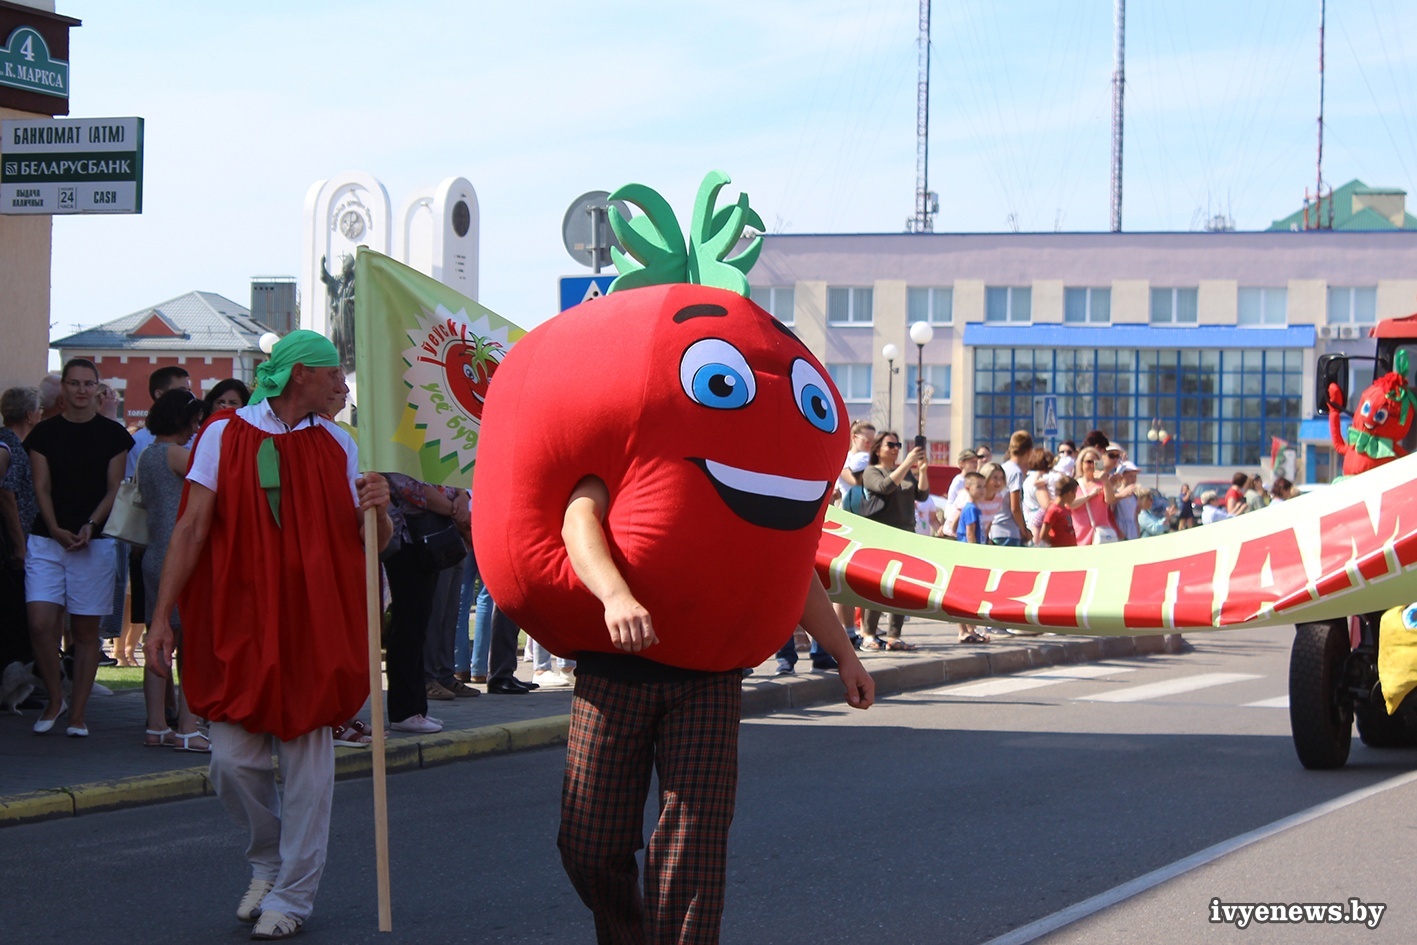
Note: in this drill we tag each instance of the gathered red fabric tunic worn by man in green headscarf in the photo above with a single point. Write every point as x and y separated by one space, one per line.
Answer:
274 614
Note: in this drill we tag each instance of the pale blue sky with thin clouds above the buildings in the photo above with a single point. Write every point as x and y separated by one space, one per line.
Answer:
808 104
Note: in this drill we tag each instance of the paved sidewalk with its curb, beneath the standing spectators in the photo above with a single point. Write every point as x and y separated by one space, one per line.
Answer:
50 776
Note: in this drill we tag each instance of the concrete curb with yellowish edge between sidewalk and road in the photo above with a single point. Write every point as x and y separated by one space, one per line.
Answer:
429 752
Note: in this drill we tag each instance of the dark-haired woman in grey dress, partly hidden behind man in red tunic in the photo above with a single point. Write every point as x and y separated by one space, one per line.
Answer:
162 471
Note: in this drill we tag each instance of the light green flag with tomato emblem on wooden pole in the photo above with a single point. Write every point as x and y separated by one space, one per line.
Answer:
424 356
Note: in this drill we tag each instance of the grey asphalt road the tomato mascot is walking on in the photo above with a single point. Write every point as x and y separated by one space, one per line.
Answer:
961 814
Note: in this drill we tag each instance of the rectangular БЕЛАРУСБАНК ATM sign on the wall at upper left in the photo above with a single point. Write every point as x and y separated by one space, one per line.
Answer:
72 166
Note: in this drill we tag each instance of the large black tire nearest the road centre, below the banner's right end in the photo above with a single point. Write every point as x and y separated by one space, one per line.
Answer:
1323 729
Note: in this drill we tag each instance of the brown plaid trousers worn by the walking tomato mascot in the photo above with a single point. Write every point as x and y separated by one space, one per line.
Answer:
688 733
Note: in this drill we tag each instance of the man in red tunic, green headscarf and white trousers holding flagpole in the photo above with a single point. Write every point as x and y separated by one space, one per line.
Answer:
267 566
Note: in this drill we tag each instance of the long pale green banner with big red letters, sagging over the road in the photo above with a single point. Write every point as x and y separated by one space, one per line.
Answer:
1347 549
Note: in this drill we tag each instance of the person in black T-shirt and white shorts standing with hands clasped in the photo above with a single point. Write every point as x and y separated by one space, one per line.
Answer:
79 461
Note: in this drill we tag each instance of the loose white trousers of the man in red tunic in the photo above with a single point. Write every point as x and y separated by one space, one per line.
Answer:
290 830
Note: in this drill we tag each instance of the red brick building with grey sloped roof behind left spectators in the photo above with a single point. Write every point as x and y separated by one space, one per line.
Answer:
209 335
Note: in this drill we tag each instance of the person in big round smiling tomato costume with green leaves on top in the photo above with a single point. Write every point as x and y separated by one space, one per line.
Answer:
713 437
